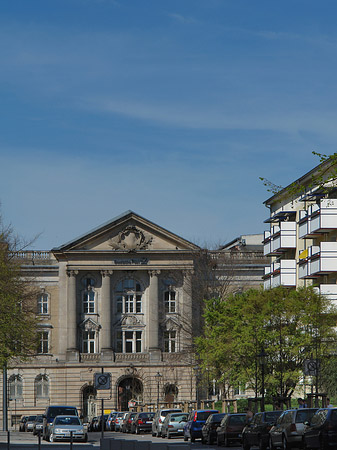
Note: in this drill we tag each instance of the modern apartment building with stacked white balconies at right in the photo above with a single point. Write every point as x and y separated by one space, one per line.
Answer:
302 234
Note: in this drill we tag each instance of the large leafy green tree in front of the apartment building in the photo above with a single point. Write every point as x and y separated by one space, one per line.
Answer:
288 325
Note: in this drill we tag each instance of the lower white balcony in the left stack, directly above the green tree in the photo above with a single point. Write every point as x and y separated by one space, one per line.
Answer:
280 273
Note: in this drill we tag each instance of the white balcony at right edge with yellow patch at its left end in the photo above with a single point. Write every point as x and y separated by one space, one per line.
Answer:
319 260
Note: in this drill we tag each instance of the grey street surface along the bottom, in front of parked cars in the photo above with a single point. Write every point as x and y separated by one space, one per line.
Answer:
26 441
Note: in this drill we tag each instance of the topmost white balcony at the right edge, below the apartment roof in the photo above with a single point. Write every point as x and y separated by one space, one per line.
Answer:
319 218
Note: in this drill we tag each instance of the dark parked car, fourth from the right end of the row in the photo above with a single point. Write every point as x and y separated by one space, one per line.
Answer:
230 429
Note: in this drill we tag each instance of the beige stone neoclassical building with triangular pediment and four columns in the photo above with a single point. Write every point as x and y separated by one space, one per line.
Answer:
117 300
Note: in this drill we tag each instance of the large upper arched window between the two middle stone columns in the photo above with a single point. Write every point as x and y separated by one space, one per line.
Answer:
128 296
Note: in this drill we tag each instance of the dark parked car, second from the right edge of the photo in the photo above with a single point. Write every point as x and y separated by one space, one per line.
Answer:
289 428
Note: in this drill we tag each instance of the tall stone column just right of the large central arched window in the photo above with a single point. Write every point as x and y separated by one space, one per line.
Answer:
153 316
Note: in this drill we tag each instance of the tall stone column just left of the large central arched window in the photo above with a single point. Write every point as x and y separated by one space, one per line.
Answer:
105 315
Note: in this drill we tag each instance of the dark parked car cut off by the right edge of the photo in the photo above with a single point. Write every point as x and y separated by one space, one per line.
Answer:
321 431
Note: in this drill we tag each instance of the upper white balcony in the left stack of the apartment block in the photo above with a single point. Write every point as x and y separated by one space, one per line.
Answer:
280 238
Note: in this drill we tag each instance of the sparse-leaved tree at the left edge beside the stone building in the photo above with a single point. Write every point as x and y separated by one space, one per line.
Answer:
18 323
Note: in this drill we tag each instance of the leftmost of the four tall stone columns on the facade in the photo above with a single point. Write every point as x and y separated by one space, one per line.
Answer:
72 350
